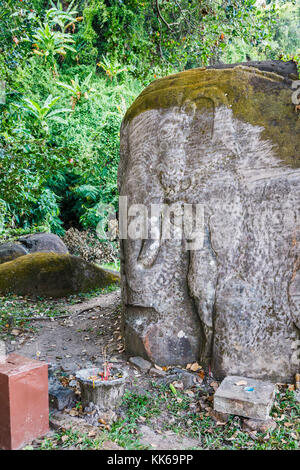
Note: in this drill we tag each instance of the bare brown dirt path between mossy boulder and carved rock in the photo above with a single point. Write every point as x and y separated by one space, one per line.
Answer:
79 340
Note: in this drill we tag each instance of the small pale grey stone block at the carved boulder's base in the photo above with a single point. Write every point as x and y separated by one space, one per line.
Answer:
232 397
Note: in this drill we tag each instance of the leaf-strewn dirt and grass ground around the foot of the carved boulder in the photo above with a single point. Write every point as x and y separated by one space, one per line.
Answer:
162 410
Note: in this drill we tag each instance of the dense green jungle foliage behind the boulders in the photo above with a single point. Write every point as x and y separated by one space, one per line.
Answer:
57 166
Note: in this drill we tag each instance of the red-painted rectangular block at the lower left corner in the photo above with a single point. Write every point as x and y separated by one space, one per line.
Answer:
24 406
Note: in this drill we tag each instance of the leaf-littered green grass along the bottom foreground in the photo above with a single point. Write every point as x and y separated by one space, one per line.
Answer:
198 425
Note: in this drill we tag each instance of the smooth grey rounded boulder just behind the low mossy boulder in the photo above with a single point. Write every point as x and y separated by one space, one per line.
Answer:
43 242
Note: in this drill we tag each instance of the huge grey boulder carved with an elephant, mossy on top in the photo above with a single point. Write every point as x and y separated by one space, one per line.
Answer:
228 140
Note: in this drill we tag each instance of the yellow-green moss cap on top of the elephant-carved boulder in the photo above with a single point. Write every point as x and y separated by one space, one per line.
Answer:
258 97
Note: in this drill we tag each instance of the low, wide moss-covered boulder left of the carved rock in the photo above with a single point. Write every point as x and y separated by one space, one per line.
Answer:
52 275
